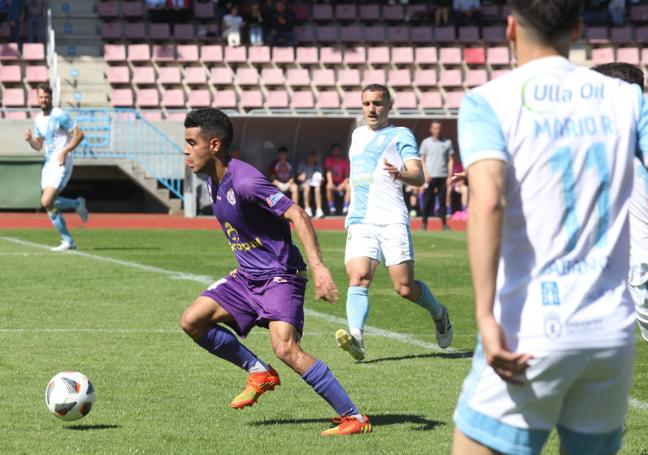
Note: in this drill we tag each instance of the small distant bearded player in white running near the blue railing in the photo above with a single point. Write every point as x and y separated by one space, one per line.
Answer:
54 129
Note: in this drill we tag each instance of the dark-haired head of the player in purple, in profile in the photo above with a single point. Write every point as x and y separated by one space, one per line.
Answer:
208 136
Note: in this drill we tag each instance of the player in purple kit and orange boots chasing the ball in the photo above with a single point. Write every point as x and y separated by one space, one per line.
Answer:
268 287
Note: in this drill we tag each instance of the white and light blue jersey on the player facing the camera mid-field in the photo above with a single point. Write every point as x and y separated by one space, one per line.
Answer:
376 198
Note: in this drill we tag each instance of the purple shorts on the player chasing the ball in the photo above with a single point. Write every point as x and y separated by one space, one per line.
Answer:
258 300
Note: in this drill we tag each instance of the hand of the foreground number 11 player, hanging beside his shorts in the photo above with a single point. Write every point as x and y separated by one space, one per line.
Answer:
508 365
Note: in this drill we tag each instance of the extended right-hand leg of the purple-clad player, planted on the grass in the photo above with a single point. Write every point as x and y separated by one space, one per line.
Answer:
285 343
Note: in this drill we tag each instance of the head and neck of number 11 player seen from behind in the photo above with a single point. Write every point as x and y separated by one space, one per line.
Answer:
545 24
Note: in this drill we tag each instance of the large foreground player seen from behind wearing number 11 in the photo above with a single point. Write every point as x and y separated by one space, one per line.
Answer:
549 152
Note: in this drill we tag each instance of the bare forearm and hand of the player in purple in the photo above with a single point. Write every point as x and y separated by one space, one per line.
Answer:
324 286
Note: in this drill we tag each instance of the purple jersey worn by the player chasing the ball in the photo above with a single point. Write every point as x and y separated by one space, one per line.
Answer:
250 211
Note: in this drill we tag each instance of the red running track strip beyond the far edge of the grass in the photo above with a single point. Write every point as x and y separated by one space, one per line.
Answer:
157 221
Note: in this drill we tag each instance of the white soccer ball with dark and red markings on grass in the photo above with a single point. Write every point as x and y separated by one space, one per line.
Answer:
69 395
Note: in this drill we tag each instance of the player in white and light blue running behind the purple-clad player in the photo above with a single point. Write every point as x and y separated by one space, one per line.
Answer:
383 158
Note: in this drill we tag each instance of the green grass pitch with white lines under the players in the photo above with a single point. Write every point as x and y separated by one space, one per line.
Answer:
112 313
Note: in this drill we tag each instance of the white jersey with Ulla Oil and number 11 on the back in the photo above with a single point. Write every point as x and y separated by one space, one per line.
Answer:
568 136
